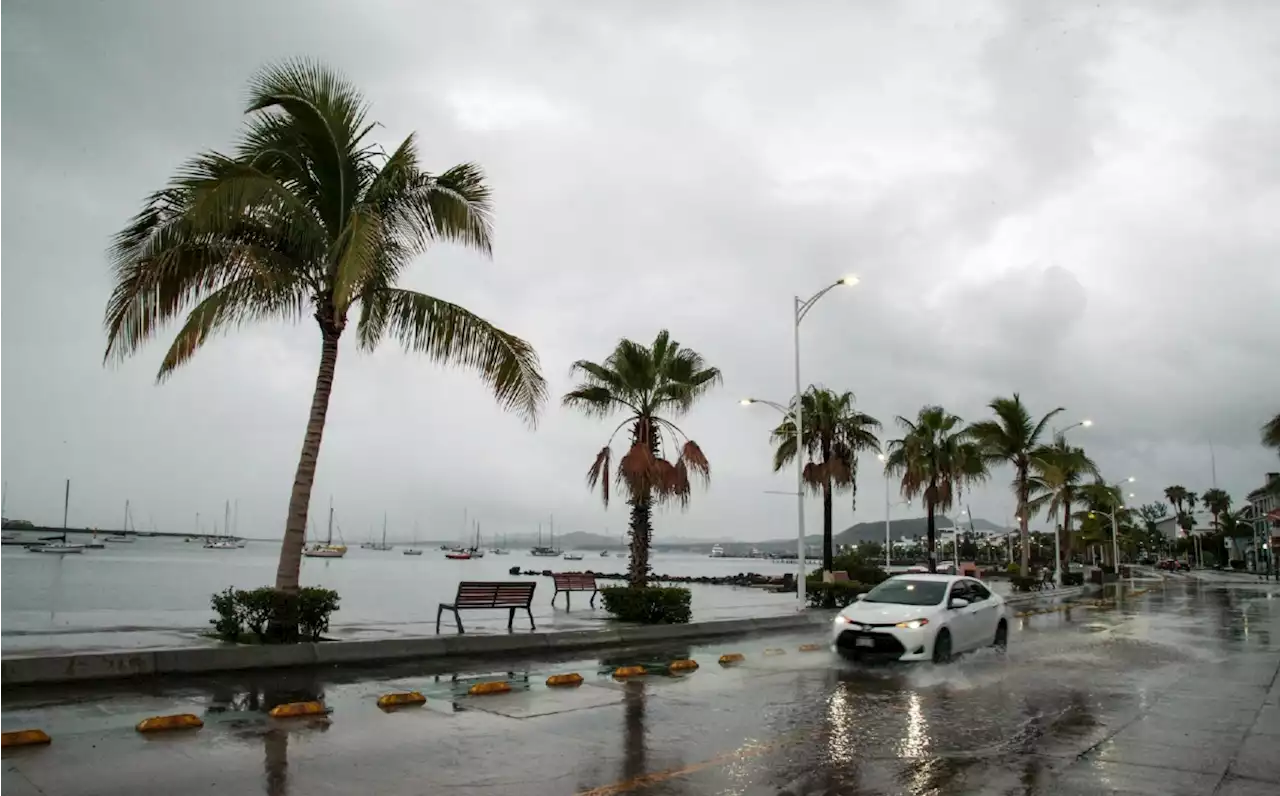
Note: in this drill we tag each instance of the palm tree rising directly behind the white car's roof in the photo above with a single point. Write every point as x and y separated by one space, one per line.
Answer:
936 461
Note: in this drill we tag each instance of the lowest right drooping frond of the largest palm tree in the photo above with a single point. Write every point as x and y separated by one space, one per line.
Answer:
452 336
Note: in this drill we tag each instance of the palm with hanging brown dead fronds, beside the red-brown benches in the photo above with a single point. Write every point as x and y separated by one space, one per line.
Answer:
650 386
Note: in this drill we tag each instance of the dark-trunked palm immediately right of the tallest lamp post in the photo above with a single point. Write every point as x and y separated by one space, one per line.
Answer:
835 434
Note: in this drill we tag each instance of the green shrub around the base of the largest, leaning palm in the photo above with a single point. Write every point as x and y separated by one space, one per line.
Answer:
246 615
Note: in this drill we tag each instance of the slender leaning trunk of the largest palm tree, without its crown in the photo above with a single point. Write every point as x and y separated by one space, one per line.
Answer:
285 626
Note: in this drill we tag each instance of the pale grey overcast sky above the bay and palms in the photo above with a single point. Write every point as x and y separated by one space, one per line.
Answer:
1077 202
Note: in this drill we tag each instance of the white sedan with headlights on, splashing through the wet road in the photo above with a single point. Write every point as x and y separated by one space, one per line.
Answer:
921 617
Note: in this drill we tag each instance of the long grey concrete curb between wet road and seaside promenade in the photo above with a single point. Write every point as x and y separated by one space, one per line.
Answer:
193 661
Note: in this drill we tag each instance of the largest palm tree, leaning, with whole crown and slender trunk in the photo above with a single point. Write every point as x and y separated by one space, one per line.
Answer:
310 218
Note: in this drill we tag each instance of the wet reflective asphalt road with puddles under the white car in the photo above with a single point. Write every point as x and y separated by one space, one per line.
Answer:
1171 693
